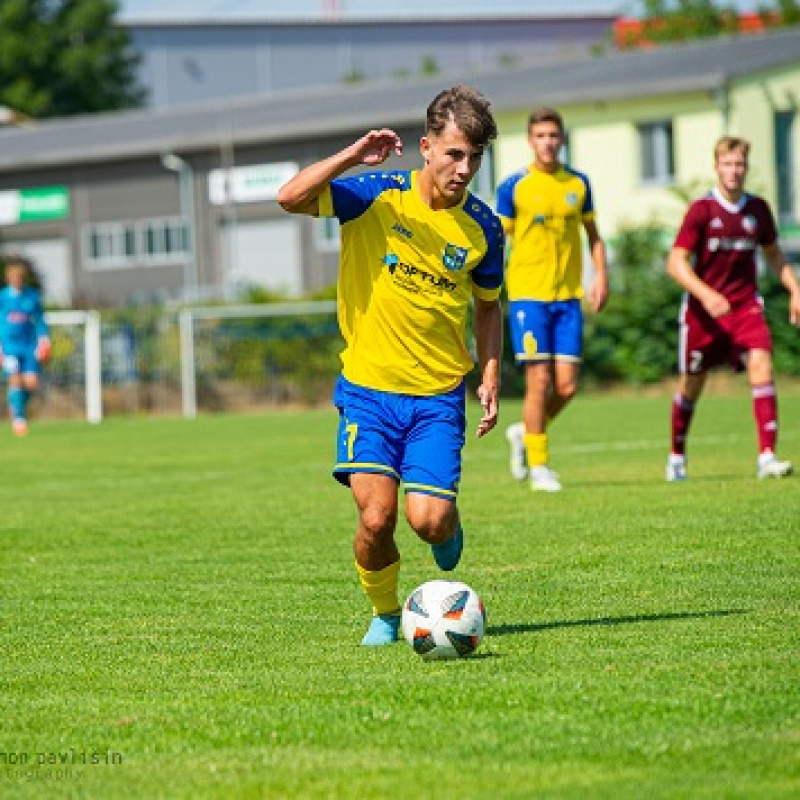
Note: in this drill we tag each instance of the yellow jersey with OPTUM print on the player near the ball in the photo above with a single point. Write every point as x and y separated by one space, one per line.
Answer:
406 277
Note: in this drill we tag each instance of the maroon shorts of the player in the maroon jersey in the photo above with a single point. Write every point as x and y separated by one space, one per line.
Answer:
706 342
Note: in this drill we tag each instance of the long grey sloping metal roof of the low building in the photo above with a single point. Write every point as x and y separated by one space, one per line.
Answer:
699 66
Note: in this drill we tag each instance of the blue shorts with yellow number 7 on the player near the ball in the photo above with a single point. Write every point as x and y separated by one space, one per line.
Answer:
417 440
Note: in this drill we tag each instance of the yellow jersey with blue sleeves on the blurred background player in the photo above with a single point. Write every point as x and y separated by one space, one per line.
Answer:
544 214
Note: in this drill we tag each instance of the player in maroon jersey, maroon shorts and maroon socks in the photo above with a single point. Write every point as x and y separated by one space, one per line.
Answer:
722 318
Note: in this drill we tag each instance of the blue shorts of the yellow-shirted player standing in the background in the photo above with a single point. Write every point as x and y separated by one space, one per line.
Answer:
546 330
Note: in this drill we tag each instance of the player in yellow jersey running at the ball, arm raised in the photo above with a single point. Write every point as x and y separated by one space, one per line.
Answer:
417 248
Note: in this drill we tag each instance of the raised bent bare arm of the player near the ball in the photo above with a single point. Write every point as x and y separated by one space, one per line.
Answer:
300 194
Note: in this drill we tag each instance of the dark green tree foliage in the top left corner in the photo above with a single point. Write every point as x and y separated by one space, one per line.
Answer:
64 57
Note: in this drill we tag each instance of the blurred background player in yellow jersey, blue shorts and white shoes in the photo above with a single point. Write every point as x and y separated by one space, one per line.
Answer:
543 208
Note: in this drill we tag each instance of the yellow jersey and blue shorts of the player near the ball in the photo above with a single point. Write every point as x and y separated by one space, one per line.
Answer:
406 277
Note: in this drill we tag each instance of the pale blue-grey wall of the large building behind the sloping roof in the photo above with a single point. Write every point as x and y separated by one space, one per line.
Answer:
192 62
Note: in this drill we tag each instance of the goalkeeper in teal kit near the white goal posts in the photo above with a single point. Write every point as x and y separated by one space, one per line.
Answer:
24 339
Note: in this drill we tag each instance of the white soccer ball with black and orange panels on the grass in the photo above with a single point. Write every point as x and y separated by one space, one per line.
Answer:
444 620
